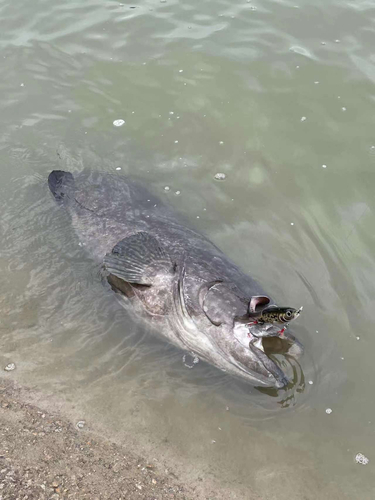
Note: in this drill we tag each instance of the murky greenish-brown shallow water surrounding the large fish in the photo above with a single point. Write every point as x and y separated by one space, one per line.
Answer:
278 96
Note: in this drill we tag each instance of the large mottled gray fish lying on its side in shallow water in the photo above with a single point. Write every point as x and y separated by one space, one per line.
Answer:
188 289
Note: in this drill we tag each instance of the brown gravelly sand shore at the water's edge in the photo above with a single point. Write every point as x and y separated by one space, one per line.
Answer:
44 456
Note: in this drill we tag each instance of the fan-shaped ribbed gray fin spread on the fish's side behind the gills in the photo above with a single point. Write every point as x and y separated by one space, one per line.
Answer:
138 259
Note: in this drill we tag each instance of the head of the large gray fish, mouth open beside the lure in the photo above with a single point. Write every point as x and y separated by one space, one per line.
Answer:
239 337
